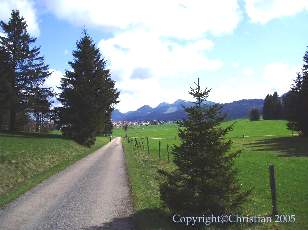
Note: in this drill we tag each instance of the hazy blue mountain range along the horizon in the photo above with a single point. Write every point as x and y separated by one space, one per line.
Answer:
175 111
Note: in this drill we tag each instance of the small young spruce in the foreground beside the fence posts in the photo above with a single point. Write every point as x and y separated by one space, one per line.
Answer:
204 181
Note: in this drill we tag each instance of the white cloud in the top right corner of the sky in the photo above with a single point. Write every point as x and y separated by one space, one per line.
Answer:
263 11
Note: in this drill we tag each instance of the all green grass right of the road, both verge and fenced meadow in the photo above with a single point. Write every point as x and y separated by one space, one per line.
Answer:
262 143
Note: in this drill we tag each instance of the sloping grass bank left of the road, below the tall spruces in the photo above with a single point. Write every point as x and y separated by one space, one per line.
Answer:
28 159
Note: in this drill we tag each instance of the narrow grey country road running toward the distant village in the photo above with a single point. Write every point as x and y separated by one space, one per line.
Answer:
91 194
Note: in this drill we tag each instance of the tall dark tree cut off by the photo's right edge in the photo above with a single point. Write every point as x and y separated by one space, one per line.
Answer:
297 101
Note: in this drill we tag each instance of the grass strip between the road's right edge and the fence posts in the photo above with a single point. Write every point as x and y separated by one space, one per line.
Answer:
144 180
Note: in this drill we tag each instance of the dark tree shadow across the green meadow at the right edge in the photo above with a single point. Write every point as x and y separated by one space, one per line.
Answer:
286 146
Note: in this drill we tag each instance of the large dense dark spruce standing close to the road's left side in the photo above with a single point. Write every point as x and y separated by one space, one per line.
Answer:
88 94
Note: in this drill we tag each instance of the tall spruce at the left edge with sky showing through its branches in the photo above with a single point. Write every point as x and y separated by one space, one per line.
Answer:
26 71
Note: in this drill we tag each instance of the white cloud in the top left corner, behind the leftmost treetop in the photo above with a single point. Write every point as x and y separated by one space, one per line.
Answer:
26 8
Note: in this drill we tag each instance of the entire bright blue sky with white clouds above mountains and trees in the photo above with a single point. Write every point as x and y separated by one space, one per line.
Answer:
156 49
